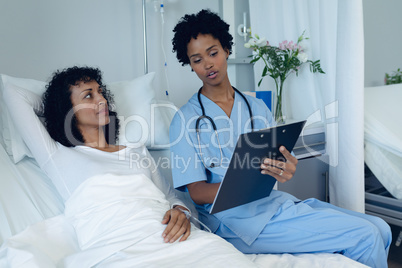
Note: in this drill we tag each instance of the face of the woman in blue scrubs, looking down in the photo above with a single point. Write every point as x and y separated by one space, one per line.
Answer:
208 59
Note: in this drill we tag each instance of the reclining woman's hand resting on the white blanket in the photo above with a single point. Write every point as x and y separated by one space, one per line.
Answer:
177 225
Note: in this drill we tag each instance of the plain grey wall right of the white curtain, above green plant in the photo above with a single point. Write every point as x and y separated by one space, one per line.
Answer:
383 39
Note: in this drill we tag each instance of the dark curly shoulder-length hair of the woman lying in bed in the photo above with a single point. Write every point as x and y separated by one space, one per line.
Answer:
60 120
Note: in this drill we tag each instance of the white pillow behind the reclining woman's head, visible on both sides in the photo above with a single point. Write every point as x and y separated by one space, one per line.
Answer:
143 119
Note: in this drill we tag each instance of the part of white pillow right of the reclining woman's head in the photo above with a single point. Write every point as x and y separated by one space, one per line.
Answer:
143 119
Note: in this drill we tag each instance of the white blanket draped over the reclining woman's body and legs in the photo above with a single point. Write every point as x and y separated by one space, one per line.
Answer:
117 220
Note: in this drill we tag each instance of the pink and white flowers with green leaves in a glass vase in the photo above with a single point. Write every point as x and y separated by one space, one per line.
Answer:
280 62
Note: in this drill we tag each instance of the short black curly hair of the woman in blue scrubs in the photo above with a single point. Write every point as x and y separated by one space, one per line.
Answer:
204 22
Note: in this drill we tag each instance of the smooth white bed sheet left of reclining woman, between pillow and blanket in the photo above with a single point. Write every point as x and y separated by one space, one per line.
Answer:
26 196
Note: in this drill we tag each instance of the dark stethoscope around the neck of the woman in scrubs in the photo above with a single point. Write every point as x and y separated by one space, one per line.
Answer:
204 116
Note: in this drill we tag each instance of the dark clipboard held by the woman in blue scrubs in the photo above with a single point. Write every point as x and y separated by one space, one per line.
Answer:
243 182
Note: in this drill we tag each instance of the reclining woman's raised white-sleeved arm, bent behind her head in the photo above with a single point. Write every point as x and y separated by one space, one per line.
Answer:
22 105
